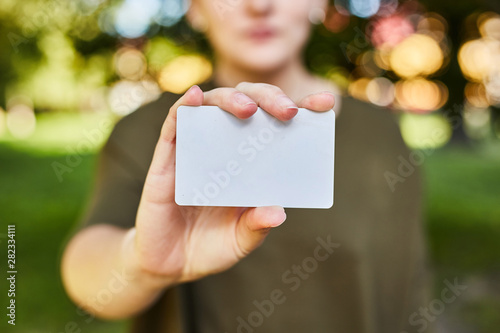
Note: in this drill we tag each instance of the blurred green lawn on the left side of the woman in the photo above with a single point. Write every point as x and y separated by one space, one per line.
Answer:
44 210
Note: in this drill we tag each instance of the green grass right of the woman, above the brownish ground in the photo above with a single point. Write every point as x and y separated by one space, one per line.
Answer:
463 208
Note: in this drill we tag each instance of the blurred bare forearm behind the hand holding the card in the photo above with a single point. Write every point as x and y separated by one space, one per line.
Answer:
101 275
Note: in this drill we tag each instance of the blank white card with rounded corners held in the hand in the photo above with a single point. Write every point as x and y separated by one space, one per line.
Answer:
260 161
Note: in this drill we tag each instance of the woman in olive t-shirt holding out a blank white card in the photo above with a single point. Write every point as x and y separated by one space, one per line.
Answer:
356 267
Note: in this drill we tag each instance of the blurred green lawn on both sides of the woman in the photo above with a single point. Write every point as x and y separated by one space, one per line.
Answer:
463 214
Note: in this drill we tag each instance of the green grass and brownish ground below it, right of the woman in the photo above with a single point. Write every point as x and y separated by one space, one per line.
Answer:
463 223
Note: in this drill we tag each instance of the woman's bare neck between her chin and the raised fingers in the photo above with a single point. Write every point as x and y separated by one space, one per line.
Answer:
291 78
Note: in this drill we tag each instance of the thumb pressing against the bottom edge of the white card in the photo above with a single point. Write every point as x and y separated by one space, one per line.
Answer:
254 225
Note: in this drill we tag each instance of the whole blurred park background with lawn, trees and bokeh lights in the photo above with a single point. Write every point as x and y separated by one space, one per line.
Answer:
70 69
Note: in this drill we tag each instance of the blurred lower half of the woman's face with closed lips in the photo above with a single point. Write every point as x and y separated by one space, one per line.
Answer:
256 35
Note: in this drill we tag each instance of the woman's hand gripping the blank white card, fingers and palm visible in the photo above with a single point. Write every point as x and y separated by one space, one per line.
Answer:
176 244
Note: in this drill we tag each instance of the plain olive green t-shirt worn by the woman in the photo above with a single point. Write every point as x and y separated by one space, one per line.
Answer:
356 267
